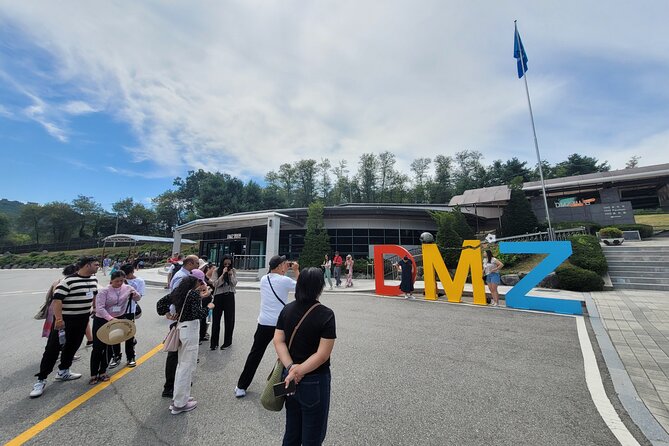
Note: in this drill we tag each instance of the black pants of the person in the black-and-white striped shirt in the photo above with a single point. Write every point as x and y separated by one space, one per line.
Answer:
75 329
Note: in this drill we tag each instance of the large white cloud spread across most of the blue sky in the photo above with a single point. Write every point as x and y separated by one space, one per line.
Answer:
245 86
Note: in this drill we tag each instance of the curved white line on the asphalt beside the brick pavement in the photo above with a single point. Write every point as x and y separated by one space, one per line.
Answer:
594 381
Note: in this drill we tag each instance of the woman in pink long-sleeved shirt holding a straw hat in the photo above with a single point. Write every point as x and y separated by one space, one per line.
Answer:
110 303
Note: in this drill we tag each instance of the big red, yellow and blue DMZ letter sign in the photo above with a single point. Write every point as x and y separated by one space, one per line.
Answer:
471 261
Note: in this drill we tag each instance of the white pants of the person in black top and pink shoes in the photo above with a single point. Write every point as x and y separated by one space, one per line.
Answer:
189 334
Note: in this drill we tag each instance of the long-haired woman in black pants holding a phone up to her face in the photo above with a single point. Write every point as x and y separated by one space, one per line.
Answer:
224 281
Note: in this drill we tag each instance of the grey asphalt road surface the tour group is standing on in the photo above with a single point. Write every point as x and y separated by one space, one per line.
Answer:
403 373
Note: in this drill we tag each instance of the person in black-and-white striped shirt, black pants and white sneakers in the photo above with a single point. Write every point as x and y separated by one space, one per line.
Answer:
72 301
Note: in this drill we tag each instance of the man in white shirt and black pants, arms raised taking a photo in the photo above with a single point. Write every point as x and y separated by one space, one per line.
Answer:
274 289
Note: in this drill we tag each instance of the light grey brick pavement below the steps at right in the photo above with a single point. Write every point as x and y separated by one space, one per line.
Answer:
638 324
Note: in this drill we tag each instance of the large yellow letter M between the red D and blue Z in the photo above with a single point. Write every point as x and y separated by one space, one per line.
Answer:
470 260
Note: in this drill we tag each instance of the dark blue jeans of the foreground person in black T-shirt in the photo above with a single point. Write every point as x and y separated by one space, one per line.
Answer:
307 411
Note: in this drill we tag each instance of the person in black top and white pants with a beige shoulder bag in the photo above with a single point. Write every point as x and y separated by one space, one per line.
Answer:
186 299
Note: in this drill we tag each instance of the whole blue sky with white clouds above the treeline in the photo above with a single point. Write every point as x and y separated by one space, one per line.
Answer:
116 99
